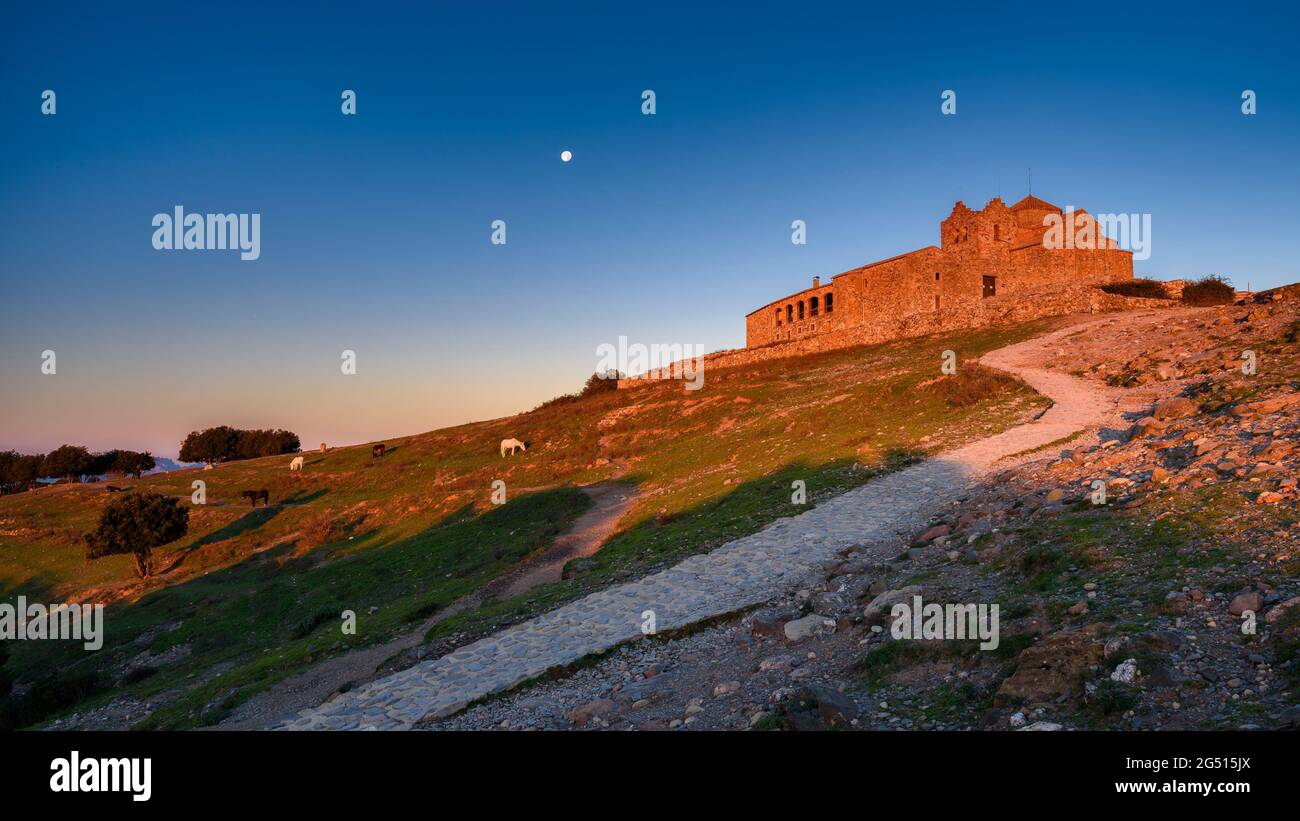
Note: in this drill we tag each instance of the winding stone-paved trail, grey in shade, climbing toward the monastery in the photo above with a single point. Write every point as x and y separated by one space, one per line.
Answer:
739 575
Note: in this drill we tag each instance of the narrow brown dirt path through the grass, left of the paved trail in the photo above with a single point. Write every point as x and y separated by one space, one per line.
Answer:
310 688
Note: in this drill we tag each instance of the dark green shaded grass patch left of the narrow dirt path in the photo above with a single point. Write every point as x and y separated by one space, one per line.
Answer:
274 614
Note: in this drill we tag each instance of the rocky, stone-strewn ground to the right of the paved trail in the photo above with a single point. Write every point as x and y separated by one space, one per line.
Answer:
1171 602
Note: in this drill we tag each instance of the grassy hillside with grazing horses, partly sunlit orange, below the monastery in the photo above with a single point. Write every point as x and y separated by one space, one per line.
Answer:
253 596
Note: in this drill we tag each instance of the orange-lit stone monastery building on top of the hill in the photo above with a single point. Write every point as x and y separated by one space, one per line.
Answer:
991 263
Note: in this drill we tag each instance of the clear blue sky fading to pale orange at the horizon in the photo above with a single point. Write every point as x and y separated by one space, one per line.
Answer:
375 229
